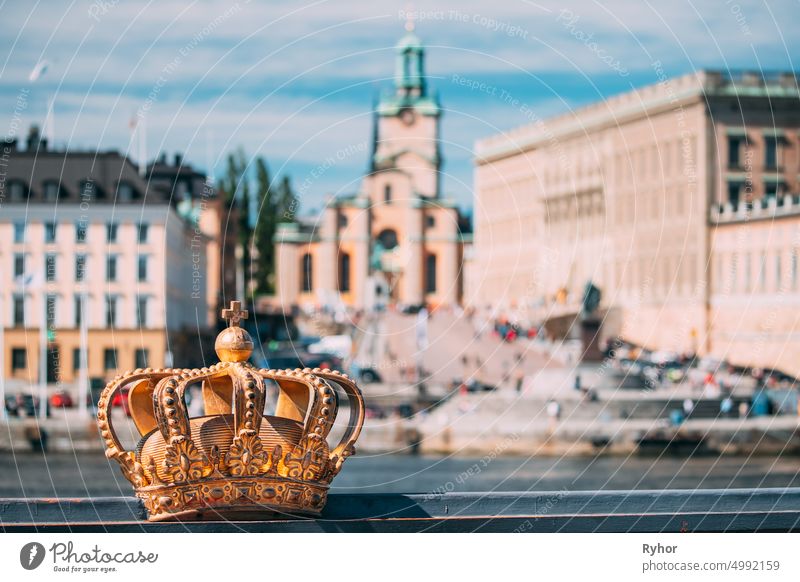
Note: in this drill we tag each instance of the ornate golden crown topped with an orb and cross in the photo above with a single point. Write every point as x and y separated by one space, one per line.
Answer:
234 461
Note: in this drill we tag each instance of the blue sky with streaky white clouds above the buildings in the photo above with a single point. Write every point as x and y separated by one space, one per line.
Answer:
295 81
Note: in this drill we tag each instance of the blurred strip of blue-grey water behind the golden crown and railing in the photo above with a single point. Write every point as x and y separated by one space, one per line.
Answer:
92 475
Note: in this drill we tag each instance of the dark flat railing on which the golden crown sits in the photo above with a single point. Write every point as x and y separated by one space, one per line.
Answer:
709 510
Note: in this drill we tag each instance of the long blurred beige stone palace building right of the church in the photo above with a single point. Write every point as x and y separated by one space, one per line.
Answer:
678 200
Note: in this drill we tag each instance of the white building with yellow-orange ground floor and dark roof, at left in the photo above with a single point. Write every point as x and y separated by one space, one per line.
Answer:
78 227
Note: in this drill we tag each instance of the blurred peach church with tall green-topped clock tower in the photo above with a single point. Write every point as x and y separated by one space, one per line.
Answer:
397 240
